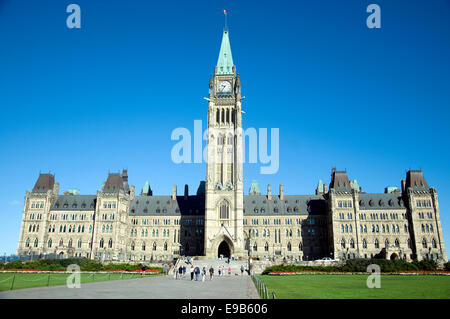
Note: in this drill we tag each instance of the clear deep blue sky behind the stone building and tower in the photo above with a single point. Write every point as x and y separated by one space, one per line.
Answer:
82 102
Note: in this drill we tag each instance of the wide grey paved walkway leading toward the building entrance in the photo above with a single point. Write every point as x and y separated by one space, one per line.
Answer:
163 287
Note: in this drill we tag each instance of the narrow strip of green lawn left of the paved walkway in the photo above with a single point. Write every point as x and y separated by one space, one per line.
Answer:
24 280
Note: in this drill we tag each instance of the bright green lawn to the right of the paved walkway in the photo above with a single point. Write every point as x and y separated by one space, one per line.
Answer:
354 286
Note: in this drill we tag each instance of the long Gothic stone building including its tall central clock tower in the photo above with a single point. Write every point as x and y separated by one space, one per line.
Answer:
339 221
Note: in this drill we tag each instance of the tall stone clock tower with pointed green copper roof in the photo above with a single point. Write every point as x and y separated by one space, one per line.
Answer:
224 232
